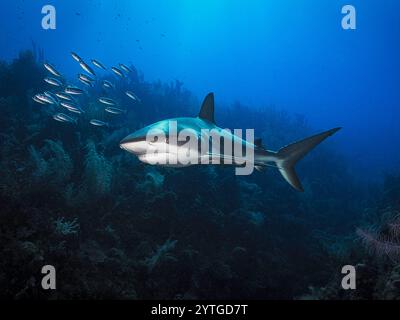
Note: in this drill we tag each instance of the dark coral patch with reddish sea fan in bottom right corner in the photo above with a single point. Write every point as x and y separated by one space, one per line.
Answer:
375 251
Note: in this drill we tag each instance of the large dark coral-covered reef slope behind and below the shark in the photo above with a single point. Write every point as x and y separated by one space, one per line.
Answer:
116 228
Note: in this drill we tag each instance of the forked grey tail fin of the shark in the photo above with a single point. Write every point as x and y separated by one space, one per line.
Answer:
288 156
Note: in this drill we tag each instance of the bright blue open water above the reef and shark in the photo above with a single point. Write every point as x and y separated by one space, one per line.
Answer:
291 54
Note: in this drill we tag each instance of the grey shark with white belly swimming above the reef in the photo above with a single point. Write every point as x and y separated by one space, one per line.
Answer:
157 144
